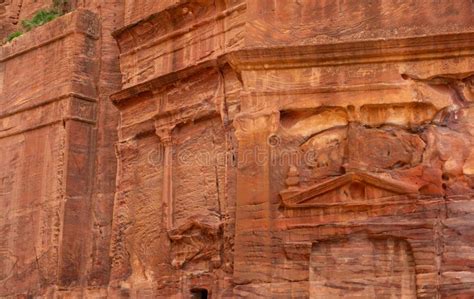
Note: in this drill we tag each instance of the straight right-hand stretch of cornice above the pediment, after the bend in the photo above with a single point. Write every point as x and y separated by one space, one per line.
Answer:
355 52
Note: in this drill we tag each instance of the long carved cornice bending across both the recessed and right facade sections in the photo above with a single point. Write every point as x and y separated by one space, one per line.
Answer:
355 52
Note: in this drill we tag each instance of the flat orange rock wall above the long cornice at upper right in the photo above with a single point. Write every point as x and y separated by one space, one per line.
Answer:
306 22
